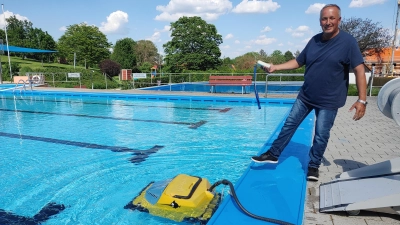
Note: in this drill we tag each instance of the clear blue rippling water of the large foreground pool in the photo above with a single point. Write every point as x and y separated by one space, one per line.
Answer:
94 153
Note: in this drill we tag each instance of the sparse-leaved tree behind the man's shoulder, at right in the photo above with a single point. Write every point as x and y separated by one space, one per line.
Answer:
369 35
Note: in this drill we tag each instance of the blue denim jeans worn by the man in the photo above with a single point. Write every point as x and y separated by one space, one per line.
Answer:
323 124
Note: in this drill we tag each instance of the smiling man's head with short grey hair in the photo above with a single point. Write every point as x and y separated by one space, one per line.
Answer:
330 20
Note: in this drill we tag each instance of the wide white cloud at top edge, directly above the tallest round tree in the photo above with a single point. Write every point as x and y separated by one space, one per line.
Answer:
206 9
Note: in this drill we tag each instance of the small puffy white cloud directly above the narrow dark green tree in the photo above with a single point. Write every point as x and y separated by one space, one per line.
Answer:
115 23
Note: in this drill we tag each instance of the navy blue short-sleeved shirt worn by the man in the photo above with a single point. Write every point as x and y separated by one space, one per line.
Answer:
326 78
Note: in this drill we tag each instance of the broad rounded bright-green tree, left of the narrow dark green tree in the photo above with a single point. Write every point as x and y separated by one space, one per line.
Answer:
88 42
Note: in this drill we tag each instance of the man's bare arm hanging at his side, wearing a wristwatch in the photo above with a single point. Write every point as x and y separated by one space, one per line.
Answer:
361 83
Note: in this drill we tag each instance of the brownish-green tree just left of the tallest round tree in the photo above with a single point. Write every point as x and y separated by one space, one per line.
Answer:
146 51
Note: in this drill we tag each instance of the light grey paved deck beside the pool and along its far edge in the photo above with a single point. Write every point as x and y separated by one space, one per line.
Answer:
353 144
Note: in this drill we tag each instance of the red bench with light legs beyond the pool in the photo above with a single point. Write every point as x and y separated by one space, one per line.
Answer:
230 81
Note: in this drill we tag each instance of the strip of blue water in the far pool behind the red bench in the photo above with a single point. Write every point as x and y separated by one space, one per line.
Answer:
273 87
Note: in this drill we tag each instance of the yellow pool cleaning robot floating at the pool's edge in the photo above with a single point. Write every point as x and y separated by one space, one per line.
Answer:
183 198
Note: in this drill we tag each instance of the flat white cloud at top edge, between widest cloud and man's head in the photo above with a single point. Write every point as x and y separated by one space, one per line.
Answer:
254 6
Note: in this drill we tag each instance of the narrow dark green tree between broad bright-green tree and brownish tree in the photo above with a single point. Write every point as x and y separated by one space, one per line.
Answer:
124 53
